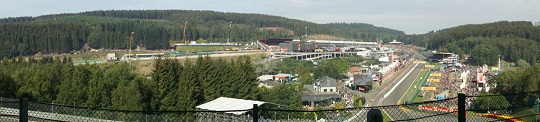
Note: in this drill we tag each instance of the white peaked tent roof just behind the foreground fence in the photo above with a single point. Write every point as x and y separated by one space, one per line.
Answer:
225 104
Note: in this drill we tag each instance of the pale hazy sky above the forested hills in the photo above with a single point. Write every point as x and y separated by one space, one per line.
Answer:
410 16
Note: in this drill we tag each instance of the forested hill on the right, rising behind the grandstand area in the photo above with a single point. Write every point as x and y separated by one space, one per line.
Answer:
514 41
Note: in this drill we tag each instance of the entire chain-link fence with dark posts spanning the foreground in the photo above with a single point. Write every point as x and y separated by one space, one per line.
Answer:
523 107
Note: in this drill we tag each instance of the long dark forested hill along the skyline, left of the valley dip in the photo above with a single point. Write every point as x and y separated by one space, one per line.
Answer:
154 29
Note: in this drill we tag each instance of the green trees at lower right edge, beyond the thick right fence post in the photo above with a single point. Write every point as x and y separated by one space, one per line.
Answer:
517 93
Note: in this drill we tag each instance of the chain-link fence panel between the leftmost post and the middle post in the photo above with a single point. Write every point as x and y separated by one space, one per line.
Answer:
71 113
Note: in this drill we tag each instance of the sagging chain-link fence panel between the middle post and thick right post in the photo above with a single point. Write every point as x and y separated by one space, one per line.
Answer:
442 110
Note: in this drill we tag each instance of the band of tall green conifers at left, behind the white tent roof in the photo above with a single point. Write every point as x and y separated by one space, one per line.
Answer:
173 85
